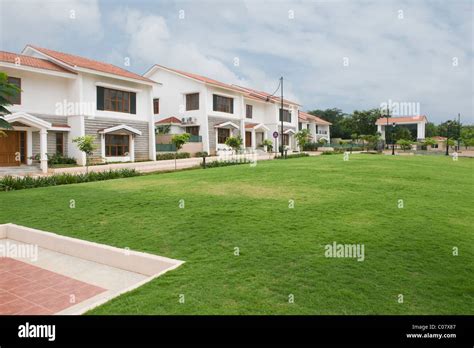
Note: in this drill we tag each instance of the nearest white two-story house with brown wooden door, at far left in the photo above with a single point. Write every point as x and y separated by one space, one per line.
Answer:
64 96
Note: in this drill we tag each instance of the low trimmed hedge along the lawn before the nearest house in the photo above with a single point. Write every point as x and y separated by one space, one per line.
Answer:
9 183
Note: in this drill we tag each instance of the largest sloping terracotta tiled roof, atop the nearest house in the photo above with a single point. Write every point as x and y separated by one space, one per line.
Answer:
76 61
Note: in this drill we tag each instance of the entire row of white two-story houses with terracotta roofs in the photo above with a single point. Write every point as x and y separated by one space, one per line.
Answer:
65 96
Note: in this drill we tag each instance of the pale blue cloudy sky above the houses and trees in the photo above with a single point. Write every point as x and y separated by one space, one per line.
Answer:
348 54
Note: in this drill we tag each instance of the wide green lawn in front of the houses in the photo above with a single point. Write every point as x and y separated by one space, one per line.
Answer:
407 251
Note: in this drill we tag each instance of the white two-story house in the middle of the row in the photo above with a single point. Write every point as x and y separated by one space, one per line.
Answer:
214 110
